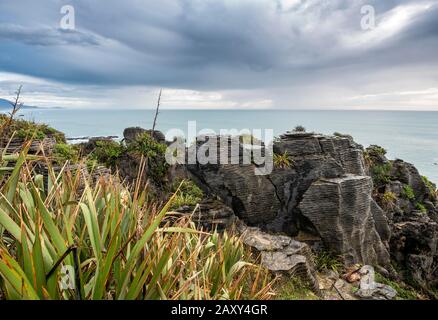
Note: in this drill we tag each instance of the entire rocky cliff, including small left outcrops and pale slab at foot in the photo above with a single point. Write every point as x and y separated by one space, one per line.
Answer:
325 193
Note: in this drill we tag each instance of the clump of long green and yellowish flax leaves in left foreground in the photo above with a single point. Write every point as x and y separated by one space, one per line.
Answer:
118 244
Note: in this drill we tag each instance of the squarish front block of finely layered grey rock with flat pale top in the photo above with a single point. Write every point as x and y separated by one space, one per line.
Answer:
341 209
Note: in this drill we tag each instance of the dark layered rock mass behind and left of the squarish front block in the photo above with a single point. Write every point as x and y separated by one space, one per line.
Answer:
269 201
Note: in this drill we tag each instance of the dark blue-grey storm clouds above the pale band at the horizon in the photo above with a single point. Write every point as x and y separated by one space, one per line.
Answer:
221 44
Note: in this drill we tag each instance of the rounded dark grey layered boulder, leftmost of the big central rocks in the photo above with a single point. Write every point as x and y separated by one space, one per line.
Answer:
253 198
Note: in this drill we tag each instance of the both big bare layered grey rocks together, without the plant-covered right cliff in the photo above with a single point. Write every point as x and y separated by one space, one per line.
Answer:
295 199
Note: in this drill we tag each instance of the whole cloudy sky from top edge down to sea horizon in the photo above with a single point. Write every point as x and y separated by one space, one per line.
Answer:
230 54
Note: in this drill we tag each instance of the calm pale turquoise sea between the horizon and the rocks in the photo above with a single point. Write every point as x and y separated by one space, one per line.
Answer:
411 136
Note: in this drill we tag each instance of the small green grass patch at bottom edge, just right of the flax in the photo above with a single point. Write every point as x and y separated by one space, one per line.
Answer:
294 288
